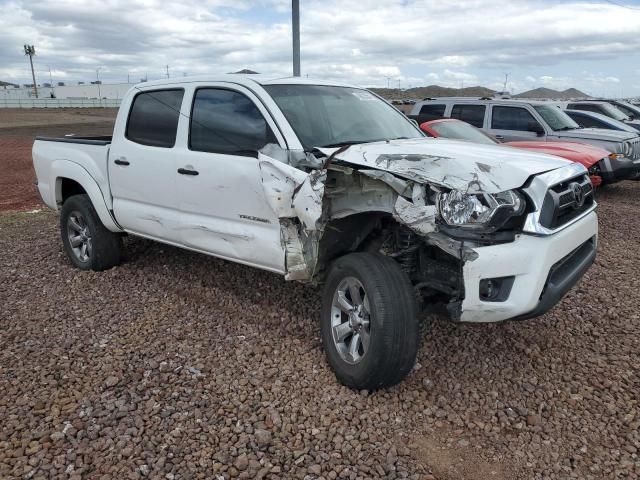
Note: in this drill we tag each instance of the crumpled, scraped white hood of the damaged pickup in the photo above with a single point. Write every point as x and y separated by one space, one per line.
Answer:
450 163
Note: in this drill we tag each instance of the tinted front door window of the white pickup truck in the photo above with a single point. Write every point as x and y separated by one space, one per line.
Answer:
225 121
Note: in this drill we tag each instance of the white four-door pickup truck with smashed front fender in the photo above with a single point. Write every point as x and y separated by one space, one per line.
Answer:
327 183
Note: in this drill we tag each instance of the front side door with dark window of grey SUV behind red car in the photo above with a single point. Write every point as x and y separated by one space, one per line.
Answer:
510 123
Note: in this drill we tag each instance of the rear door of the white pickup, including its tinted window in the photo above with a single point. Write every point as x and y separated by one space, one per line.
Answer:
142 172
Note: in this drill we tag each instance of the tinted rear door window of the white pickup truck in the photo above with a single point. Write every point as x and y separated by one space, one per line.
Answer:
153 119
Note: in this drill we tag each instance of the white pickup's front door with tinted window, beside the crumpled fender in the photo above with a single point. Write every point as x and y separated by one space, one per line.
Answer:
224 209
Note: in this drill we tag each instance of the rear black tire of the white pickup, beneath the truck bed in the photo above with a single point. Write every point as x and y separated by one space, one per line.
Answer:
105 246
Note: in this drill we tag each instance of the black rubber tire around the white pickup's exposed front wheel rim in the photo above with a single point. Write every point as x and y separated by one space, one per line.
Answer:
393 324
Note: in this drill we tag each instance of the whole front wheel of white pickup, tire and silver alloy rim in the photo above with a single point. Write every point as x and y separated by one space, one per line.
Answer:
369 327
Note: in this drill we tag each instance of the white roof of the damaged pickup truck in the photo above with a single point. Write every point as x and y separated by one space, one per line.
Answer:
248 80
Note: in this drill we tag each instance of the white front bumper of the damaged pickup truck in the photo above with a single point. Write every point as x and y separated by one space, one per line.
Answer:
544 270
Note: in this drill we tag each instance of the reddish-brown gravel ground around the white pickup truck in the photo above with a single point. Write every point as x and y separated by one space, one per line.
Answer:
180 366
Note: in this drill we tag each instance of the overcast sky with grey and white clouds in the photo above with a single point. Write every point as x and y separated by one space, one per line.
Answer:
591 45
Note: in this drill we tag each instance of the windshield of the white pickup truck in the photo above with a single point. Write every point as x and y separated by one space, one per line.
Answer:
325 116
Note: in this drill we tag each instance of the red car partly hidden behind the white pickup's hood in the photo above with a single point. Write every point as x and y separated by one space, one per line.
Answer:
587 155
